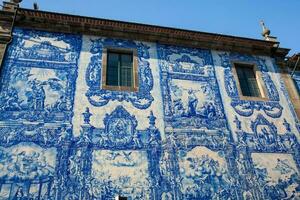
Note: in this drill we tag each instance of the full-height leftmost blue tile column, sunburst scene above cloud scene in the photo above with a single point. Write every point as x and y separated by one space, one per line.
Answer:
36 103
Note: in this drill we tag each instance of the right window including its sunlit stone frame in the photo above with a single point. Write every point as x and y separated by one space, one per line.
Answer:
249 81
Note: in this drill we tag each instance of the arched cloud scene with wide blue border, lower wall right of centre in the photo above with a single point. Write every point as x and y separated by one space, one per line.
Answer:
194 167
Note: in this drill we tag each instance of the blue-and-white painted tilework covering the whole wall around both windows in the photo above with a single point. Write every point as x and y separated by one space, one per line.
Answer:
194 157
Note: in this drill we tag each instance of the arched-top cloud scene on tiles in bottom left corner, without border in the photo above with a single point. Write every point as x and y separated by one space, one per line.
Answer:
27 169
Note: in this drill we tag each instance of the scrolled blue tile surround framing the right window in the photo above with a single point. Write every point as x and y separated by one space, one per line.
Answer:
272 108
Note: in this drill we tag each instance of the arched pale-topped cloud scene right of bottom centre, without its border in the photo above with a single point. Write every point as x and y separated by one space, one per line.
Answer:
204 174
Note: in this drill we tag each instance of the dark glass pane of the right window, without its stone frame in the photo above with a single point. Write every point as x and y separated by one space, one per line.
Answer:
248 81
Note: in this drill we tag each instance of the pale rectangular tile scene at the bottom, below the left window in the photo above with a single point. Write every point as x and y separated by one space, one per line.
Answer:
121 172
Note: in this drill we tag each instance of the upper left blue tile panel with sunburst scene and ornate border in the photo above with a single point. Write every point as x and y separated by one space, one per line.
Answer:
39 74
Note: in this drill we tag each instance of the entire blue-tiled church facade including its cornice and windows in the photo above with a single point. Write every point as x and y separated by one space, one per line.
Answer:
182 127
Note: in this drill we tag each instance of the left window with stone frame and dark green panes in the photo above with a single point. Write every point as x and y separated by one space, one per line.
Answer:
119 69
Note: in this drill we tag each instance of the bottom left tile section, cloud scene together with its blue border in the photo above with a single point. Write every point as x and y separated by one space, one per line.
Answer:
33 160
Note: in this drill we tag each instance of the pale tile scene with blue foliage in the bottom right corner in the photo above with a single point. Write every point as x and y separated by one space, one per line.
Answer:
277 175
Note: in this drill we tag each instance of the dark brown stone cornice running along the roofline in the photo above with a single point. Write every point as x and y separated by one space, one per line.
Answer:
58 22
